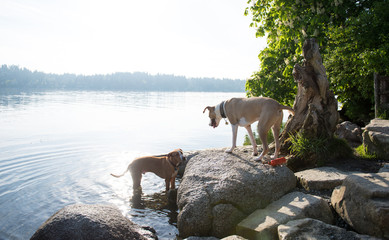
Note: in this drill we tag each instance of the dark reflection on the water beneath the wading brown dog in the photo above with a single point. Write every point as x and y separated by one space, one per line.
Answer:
162 202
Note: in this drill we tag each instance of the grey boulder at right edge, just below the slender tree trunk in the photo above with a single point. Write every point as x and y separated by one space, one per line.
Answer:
376 138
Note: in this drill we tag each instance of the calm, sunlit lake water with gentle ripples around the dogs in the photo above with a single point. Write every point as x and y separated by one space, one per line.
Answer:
59 148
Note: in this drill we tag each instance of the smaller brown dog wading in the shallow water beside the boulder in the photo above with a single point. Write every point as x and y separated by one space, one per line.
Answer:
165 167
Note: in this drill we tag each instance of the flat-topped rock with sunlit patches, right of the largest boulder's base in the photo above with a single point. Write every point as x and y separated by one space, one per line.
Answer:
263 223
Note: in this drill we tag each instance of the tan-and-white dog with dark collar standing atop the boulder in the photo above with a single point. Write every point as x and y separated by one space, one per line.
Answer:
245 111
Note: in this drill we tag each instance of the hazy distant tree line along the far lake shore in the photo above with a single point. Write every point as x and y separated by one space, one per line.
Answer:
14 77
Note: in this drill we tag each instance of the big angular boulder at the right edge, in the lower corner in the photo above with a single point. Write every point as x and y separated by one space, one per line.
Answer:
363 202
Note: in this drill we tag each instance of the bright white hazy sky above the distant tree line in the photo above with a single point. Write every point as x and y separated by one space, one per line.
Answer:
194 38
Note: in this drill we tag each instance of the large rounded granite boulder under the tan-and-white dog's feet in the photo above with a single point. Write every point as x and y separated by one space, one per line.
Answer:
219 189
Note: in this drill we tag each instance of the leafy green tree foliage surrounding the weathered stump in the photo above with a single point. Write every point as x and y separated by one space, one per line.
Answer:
354 41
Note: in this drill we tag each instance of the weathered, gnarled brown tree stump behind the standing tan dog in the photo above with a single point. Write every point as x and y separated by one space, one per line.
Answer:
315 105
